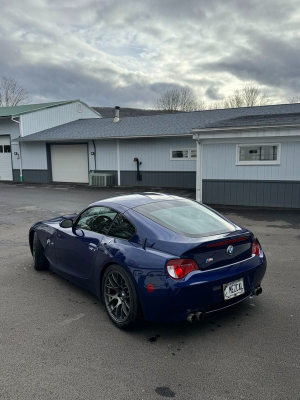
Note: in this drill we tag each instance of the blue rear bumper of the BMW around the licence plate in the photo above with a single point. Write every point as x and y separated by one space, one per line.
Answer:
173 300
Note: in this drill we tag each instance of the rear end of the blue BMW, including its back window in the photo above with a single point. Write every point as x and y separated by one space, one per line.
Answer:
219 265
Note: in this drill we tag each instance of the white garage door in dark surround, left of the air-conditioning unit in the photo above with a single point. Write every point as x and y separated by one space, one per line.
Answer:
69 163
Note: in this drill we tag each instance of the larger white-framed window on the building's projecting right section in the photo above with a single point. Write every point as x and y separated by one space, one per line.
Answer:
258 154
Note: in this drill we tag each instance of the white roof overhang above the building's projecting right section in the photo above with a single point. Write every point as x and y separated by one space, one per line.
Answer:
246 132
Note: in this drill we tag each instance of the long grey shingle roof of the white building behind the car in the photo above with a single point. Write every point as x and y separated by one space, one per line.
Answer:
158 125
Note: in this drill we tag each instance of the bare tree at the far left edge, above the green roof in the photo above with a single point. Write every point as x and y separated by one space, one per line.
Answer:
12 93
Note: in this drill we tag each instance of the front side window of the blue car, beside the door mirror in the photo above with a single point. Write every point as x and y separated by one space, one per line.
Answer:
97 219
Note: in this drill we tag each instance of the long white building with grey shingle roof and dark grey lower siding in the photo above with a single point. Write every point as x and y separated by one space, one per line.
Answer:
245 156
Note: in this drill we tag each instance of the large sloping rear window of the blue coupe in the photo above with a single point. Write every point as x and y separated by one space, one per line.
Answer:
186 217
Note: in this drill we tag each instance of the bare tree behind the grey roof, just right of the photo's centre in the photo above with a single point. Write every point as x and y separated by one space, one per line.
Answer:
182 99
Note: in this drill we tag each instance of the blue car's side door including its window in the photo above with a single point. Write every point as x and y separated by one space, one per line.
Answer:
76 248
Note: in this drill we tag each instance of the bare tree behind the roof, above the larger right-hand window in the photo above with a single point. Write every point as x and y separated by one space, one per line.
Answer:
249 96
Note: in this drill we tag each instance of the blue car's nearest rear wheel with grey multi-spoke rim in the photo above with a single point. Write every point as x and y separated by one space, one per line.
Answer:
120 297
